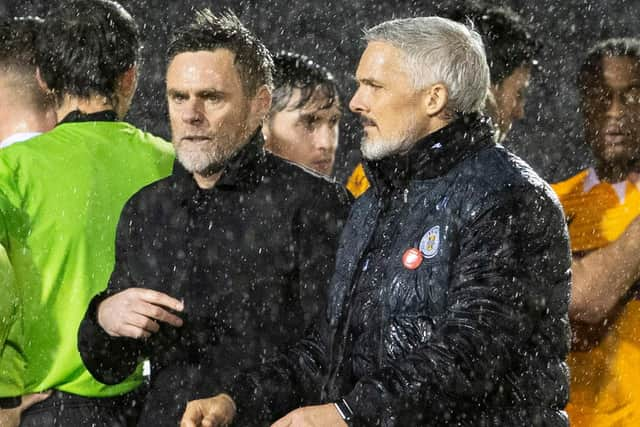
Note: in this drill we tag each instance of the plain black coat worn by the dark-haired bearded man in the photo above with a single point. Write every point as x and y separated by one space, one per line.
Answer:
251 258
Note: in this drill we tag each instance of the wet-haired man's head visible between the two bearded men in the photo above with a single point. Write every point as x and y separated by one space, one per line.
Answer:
303 123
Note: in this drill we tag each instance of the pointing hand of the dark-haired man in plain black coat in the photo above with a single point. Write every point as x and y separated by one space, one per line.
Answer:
135 313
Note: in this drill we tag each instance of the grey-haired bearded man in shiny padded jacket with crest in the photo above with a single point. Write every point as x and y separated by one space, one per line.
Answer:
449 301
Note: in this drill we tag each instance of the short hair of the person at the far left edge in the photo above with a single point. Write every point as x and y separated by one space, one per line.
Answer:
17 43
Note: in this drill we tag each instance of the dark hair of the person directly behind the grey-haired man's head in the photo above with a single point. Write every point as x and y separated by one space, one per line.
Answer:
508 41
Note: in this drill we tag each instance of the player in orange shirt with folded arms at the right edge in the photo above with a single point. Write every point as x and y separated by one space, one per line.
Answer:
602 207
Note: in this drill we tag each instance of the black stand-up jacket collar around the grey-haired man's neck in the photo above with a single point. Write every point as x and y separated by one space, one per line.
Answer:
433 155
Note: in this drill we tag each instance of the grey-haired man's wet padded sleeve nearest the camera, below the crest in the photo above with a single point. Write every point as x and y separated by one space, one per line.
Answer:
505 281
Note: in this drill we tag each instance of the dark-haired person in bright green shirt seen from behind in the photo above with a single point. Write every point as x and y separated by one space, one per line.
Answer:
63 192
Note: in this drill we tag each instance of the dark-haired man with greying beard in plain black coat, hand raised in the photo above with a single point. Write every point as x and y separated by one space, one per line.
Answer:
223 264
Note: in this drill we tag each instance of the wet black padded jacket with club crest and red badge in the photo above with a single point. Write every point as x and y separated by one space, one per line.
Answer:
468 328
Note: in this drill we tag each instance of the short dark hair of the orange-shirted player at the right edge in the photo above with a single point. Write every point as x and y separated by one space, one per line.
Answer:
592 65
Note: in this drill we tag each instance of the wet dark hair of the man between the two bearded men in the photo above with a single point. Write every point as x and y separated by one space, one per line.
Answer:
295 71
